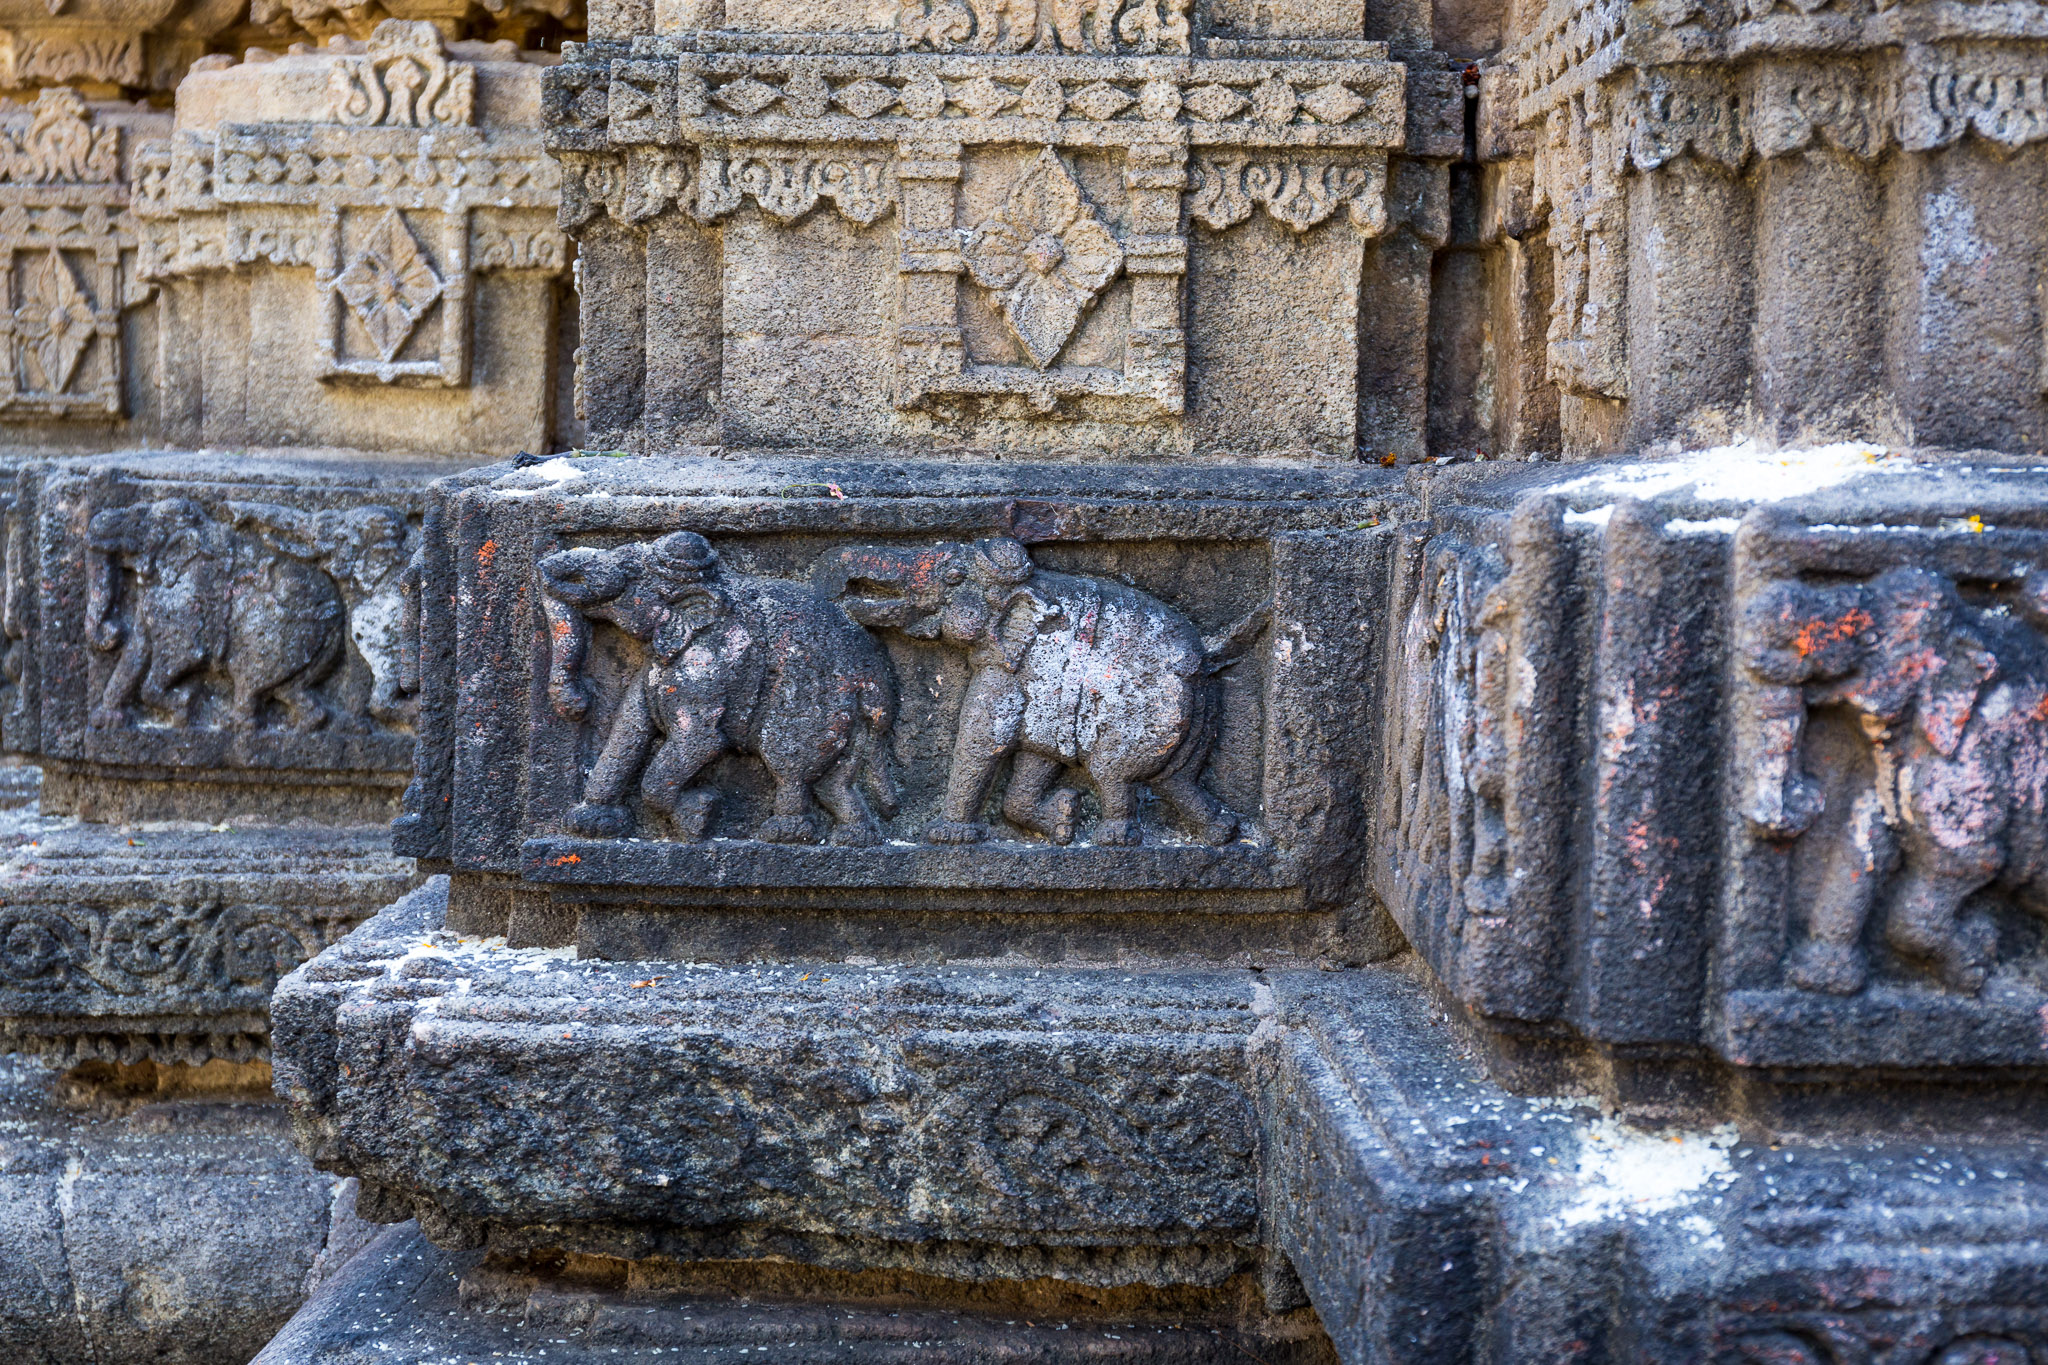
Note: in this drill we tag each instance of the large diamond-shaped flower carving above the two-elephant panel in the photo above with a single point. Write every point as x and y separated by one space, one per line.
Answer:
1048 255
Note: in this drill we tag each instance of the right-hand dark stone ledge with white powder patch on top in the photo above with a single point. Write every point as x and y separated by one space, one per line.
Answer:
1435 1217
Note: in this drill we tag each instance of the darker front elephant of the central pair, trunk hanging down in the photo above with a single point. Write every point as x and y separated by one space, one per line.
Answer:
740 664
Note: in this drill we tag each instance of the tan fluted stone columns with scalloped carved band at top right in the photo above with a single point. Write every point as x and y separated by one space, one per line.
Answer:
1846 189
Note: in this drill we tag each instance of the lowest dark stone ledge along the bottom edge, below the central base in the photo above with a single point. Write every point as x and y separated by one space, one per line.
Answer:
411 1301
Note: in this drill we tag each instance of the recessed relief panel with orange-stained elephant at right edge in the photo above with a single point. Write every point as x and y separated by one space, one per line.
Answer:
1891 762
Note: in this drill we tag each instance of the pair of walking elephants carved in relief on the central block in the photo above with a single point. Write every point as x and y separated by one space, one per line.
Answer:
1064 674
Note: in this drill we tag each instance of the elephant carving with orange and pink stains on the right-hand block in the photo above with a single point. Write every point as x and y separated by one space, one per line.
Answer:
1953 701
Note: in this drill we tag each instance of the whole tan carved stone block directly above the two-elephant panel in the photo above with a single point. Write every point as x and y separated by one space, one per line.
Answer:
1148 245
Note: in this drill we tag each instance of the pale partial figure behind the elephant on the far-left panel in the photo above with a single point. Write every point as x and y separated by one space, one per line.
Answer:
364 552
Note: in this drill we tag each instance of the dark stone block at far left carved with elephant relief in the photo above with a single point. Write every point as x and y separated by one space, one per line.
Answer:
214 619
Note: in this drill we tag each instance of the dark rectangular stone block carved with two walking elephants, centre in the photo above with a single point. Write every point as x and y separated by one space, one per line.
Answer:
1029 691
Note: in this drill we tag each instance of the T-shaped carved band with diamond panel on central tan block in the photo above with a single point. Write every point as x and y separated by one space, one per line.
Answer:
1060 253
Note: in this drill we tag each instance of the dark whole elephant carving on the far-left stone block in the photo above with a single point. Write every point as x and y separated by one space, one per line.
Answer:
208 599
